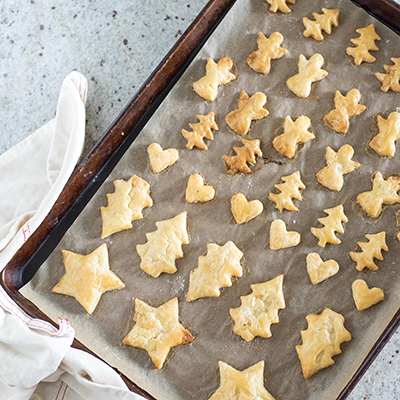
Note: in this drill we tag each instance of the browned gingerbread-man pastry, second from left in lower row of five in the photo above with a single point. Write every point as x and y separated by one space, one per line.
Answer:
249 108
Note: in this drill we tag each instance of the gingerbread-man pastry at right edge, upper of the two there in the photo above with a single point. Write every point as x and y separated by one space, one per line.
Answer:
384 143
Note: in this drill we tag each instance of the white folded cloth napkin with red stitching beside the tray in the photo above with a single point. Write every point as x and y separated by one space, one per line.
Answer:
37 361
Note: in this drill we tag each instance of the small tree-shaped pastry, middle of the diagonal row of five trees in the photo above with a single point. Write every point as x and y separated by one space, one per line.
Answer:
289 190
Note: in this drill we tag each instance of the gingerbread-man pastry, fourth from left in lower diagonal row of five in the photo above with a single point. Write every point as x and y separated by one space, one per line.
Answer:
338 164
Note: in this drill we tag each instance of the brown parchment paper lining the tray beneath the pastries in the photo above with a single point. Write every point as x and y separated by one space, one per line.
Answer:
192 370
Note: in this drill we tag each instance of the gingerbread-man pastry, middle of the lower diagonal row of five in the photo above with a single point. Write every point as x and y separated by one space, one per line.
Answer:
294 133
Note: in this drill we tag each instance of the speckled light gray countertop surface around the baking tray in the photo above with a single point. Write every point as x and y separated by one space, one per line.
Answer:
116 45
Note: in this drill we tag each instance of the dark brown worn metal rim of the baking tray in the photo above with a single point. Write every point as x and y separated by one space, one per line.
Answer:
98 164
